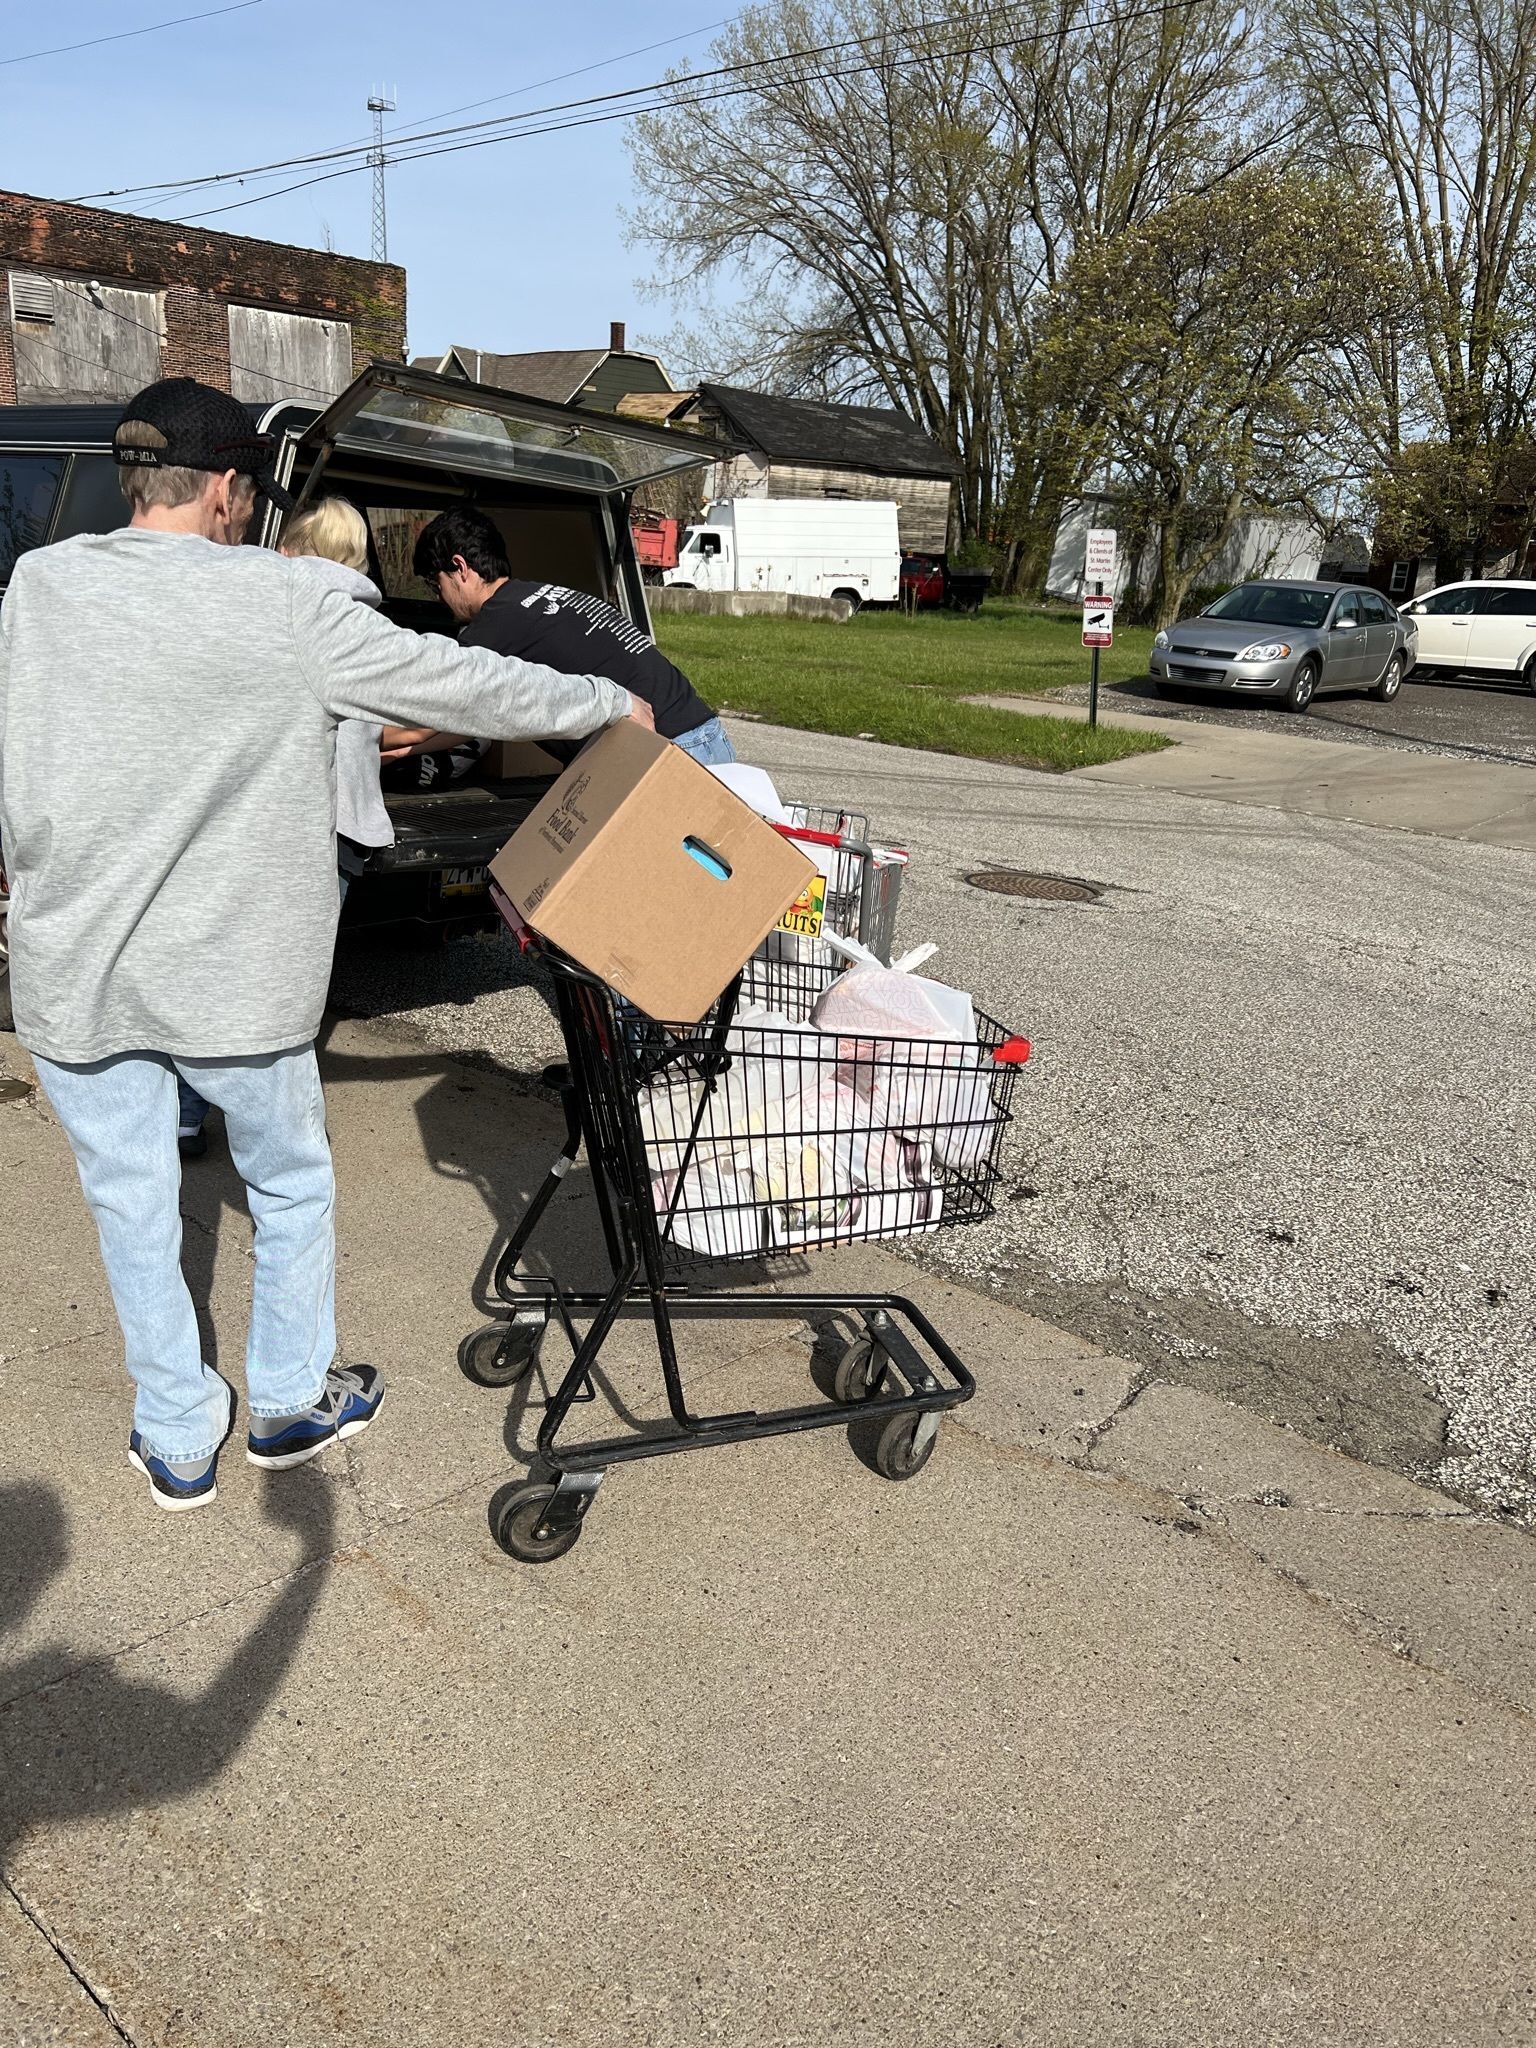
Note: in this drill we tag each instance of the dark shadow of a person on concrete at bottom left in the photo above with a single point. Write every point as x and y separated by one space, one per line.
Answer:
81 1738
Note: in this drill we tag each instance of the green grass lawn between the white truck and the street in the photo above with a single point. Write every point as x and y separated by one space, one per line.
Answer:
902 679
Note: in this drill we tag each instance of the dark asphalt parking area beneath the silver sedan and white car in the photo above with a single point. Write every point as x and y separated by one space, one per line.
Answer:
1457 716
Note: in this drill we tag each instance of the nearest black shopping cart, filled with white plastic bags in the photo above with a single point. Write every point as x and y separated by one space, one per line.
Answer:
849 1158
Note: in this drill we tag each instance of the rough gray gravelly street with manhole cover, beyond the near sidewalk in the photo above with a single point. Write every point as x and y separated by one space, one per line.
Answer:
1281 1121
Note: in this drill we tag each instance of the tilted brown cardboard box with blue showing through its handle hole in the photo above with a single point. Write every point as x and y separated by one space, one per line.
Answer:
650 873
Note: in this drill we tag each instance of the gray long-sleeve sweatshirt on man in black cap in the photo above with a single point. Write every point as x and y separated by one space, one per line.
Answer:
167 783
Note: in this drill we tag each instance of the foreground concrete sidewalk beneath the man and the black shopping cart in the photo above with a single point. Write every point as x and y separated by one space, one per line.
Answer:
1129 1721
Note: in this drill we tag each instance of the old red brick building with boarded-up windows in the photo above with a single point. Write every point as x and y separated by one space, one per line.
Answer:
93 306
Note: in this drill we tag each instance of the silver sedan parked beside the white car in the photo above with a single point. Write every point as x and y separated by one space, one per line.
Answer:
1283 642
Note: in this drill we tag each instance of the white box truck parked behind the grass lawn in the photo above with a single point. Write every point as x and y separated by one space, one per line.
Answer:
814 548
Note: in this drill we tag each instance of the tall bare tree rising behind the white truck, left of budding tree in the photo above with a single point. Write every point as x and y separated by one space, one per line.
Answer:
902 208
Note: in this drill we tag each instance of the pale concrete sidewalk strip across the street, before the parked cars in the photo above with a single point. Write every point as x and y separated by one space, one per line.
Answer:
1428 794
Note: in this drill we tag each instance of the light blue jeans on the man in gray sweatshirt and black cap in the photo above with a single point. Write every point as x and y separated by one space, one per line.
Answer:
120 1117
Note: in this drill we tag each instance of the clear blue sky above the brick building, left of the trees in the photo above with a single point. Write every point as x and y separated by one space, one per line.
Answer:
513 247
